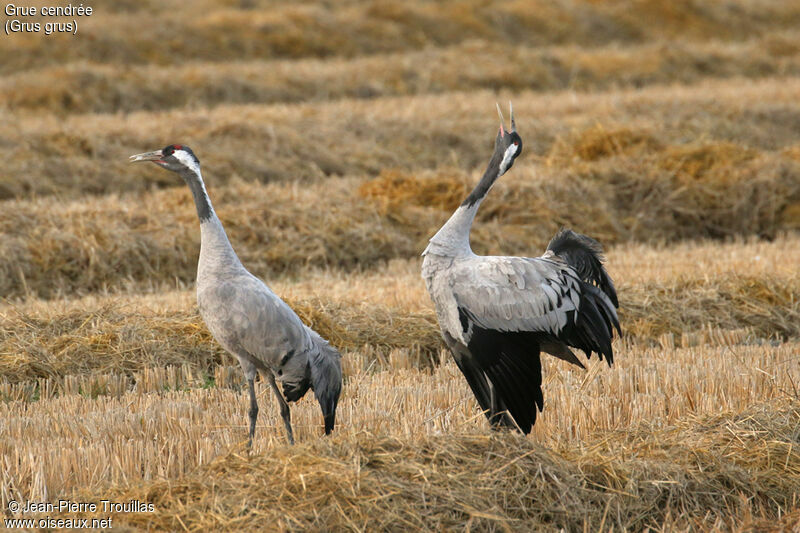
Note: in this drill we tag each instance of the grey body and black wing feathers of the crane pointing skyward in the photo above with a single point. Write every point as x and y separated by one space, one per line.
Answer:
497 313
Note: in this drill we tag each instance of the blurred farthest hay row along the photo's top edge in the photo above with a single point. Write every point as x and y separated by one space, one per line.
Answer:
320 29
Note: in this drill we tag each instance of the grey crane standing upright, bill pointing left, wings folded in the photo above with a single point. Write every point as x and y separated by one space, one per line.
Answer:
247 318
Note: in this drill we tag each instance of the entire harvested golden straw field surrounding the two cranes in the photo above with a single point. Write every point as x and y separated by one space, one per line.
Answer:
335 139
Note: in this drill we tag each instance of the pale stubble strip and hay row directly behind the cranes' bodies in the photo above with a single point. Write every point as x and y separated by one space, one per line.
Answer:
688 295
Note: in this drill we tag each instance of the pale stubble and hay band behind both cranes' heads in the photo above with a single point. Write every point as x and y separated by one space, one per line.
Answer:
88 154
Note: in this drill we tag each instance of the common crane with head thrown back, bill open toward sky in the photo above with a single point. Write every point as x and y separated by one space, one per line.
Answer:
498 313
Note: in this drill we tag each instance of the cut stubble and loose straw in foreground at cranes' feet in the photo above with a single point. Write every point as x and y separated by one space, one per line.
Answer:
150 445
